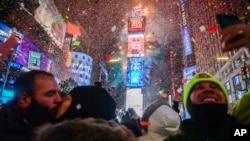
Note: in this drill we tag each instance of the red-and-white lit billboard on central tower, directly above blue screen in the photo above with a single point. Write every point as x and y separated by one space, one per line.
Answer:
135 45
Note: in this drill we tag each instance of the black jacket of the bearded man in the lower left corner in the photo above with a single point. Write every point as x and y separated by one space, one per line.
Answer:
12 126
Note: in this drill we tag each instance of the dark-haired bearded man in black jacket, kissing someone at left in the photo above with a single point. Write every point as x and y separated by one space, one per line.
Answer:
37 97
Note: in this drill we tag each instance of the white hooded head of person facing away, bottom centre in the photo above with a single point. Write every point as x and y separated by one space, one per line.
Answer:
163 121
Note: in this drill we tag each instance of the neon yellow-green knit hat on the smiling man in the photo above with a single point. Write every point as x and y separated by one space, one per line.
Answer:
201 77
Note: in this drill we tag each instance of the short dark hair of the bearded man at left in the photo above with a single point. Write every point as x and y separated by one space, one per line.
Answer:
26 82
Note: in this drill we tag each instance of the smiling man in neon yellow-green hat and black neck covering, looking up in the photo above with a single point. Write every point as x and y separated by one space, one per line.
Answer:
206 99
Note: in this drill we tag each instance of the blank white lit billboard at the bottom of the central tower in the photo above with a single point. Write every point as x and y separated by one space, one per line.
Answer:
134 100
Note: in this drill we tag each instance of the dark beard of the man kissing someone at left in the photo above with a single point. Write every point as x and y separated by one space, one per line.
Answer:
38 114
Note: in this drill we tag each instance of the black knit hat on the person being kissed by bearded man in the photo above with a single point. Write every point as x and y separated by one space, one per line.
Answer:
90 101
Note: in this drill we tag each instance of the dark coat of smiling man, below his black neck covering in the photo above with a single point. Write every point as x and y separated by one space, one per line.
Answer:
188 133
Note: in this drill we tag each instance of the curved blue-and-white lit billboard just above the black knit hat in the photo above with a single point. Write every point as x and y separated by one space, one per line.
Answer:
81 67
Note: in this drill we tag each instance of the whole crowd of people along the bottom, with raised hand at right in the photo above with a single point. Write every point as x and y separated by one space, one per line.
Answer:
38 111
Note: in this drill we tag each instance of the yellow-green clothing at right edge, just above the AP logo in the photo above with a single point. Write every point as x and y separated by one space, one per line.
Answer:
241 110
